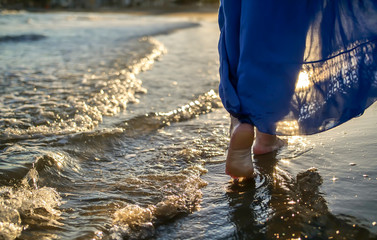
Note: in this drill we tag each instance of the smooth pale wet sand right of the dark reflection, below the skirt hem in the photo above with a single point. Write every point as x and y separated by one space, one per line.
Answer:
347 162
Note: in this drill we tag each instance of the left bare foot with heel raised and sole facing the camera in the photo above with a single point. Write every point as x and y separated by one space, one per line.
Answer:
238 160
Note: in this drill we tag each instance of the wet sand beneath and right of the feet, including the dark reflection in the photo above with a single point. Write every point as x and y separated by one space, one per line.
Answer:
318 187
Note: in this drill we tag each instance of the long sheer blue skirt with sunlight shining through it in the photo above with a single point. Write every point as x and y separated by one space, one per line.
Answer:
298 66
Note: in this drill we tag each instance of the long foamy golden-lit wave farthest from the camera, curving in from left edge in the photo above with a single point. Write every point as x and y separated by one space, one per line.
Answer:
107 93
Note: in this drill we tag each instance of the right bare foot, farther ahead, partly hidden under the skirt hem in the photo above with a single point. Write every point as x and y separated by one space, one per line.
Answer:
265 143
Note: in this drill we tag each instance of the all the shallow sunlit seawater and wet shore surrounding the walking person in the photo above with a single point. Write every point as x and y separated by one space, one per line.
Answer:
111 128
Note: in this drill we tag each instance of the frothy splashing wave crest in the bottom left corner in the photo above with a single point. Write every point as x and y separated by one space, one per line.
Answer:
28 206
